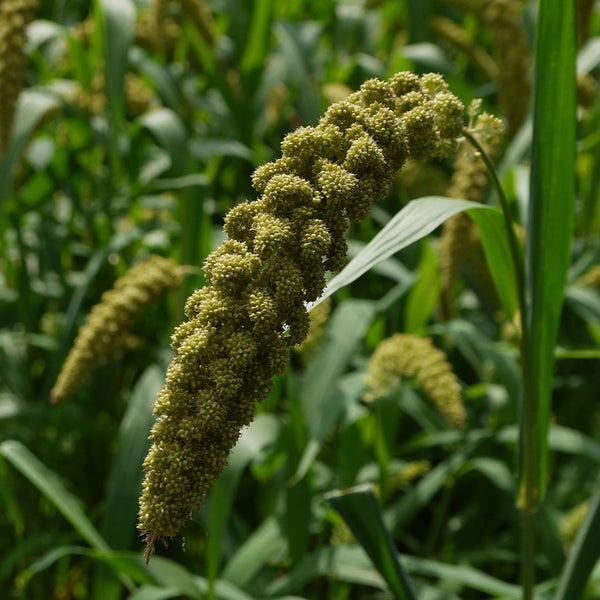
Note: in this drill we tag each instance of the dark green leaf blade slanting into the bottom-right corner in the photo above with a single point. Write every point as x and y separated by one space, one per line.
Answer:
584 554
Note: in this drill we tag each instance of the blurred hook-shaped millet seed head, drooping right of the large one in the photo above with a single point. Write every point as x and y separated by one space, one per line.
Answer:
405 355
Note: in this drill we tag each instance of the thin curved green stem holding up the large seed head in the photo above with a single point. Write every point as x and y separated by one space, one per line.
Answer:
527 498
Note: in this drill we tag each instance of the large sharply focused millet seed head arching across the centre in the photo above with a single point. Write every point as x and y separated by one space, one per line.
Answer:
278 250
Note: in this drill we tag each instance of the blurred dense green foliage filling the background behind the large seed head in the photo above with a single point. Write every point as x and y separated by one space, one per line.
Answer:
134 135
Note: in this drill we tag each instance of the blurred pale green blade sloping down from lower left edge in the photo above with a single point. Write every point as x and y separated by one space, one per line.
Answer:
48 484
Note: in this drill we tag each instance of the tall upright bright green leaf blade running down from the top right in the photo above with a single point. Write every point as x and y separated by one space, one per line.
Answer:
551 213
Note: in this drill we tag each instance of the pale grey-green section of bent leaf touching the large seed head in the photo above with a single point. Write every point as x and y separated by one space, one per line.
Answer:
416 220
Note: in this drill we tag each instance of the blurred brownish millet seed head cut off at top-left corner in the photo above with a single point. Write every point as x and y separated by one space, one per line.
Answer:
15 15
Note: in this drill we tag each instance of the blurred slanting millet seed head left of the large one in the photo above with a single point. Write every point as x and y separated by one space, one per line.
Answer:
107 326
